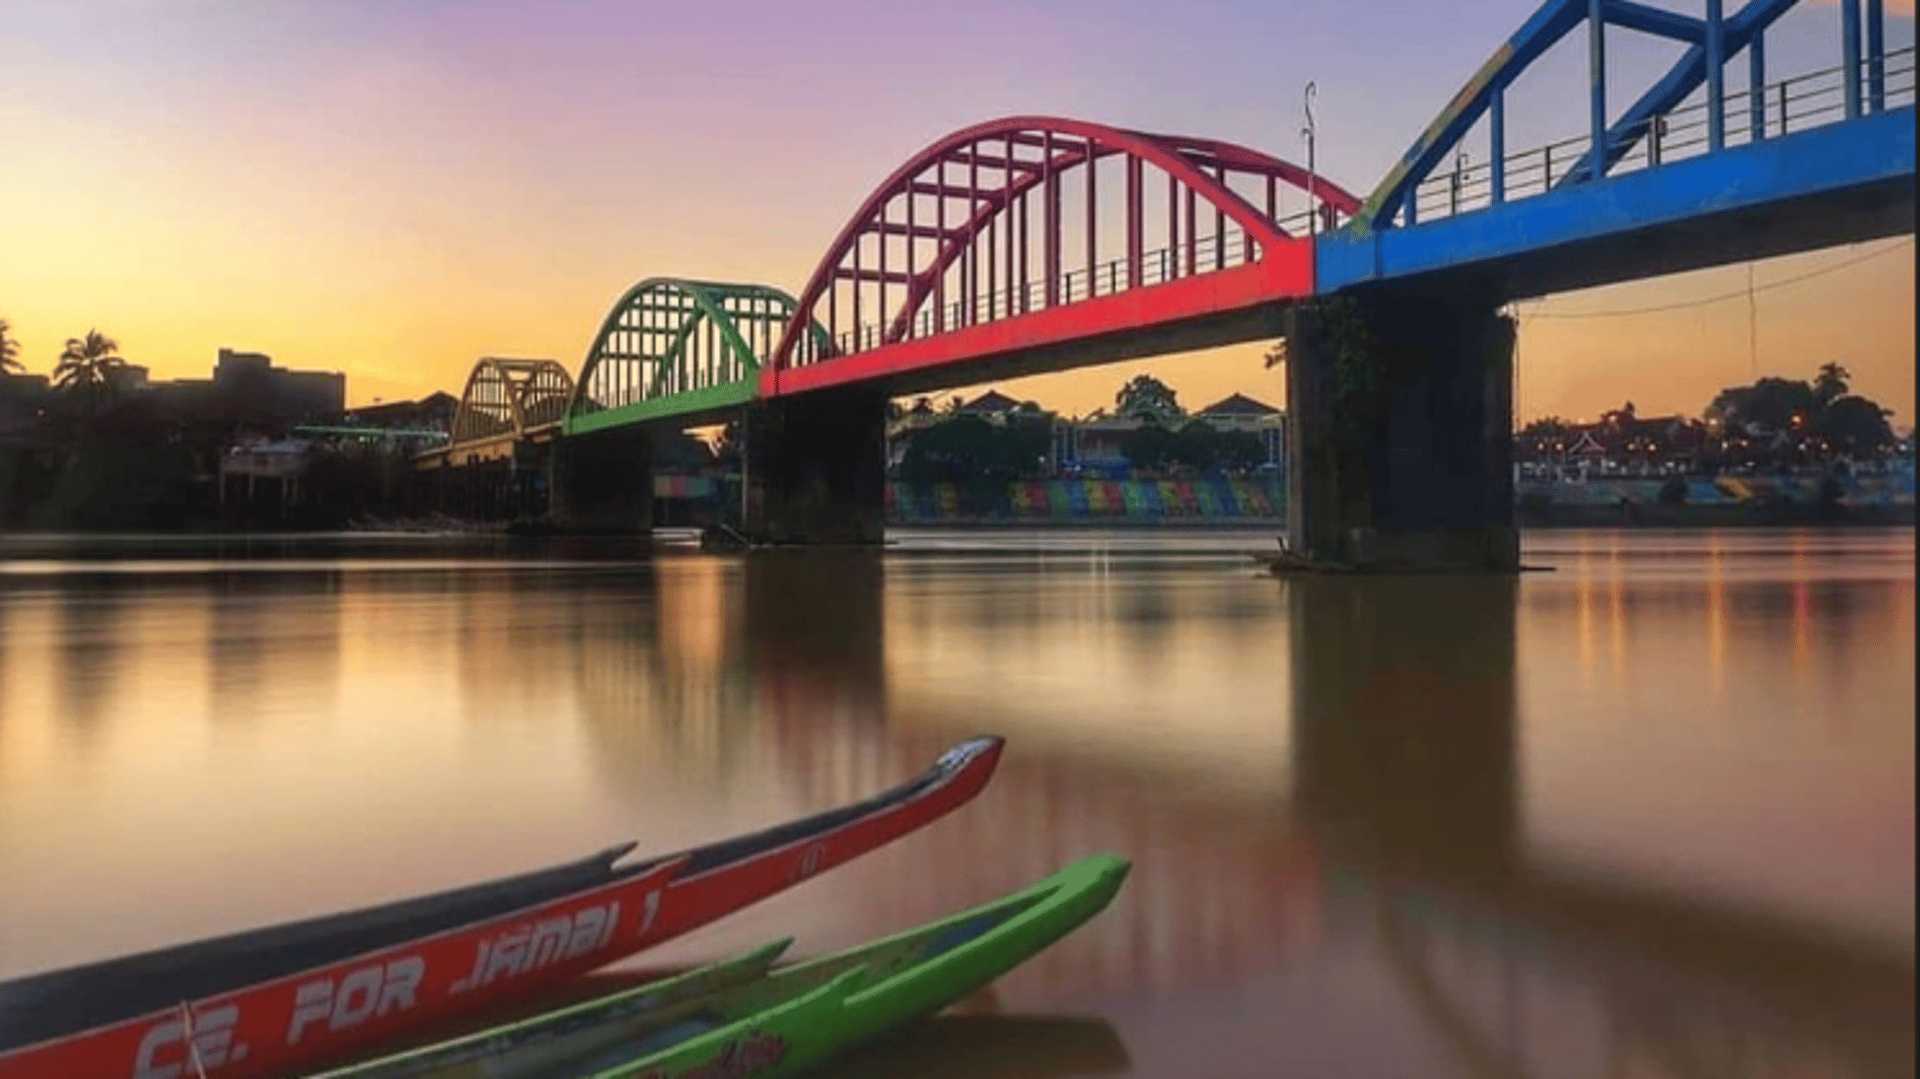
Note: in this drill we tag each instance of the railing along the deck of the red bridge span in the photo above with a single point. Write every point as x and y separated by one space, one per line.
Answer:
1207 254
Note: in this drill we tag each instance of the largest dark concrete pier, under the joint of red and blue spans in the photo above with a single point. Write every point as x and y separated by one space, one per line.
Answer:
1401 443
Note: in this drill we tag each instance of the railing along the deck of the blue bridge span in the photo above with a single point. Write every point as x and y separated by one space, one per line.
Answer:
1785 108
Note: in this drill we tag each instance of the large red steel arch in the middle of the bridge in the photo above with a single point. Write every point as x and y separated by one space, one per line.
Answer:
1028 156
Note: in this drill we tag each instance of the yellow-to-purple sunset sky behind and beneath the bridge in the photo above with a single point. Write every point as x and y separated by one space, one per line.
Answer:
398 187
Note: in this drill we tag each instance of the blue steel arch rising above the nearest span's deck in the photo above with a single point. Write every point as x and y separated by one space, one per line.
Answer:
1541 34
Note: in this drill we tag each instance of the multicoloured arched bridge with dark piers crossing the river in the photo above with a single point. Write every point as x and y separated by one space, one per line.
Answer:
1034 245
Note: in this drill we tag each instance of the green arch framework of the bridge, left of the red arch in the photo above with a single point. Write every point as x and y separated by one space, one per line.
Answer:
679 308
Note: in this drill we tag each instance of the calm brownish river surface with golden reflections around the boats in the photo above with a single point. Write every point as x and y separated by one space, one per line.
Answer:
1646 815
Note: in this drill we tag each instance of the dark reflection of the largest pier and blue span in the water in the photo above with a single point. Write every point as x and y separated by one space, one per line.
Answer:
1408 765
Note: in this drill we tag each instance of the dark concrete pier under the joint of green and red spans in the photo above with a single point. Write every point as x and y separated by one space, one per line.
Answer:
817 469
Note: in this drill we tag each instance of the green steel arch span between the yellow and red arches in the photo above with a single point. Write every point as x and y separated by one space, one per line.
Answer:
675 345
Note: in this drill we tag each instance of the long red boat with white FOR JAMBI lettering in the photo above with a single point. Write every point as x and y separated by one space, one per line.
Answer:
306 994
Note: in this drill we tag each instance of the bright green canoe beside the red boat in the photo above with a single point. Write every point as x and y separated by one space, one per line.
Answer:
746 1019
